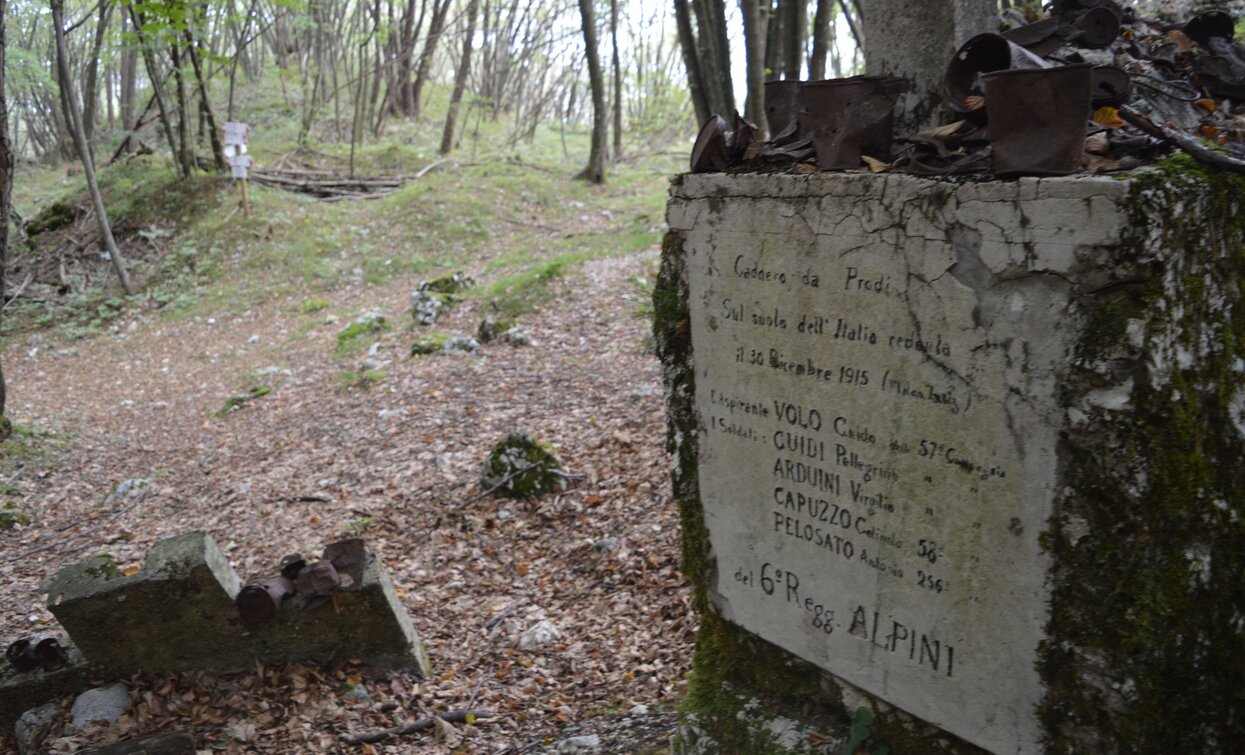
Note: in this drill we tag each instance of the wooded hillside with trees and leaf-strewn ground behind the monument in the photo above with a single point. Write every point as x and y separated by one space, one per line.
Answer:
227 366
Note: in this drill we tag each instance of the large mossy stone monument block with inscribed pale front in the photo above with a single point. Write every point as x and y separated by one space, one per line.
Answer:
967 453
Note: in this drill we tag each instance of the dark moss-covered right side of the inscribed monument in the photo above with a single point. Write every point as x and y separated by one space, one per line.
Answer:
1149 610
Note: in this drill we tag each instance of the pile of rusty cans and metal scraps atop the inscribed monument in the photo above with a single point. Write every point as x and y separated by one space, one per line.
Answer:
1090 87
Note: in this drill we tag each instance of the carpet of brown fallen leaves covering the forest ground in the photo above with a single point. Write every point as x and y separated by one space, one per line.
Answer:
392 455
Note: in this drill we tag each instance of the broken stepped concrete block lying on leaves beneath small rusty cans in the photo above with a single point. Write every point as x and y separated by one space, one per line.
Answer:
179 614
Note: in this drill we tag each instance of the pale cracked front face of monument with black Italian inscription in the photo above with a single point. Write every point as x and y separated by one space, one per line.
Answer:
880 422
